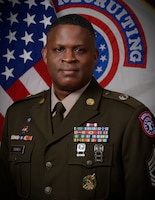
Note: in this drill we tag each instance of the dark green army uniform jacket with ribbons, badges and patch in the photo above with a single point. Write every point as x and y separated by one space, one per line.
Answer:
103 149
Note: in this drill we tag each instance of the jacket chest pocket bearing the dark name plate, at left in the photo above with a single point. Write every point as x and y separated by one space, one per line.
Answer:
20 164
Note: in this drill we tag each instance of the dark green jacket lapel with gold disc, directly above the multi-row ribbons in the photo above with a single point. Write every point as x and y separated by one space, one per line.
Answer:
82 112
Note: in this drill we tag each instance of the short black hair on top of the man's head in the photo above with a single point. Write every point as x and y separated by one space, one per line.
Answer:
73 19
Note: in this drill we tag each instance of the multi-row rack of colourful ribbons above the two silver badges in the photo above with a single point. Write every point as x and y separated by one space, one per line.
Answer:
91 133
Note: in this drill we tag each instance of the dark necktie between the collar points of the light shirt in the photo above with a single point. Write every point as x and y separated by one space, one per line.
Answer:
58 117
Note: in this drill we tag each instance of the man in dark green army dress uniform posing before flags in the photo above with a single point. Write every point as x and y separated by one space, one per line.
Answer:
104 148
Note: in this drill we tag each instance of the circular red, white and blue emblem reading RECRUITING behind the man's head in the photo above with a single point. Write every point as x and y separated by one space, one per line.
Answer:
112 38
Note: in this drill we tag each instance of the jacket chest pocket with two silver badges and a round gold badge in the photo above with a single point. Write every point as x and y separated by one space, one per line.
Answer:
90 166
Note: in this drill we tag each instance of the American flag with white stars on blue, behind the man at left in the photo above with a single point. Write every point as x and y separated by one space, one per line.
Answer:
23 28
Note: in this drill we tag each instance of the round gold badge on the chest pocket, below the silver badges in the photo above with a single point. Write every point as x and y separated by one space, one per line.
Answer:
89 182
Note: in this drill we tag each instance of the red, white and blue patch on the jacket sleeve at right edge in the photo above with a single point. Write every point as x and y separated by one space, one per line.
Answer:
147 123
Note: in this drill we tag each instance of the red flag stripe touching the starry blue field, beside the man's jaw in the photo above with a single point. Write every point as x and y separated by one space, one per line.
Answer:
41 68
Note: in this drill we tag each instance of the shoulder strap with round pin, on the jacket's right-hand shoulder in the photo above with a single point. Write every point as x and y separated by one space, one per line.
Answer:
121 97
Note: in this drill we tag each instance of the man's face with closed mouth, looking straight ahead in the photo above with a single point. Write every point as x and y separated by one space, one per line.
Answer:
70 55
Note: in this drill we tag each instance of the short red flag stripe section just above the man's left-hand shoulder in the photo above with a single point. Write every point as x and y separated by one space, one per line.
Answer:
17 91
